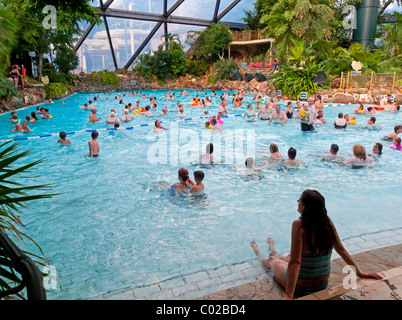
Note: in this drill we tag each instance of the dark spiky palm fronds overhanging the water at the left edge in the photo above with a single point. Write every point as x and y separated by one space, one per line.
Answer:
14 195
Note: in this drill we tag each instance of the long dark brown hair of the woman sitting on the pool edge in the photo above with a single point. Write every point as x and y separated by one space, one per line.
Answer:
316 223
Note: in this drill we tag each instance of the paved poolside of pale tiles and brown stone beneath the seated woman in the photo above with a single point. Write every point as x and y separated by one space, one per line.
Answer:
374 252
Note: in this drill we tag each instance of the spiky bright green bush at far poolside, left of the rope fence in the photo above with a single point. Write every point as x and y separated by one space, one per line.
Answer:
292 81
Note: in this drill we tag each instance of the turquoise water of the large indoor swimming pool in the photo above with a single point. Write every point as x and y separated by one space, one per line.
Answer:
116 225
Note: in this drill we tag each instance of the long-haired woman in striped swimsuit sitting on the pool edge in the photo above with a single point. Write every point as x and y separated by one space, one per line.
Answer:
308 266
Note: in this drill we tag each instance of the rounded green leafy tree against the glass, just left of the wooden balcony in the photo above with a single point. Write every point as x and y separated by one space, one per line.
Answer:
210 43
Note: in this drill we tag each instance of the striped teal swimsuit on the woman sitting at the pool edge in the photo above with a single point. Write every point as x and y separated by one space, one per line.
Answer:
313 267
